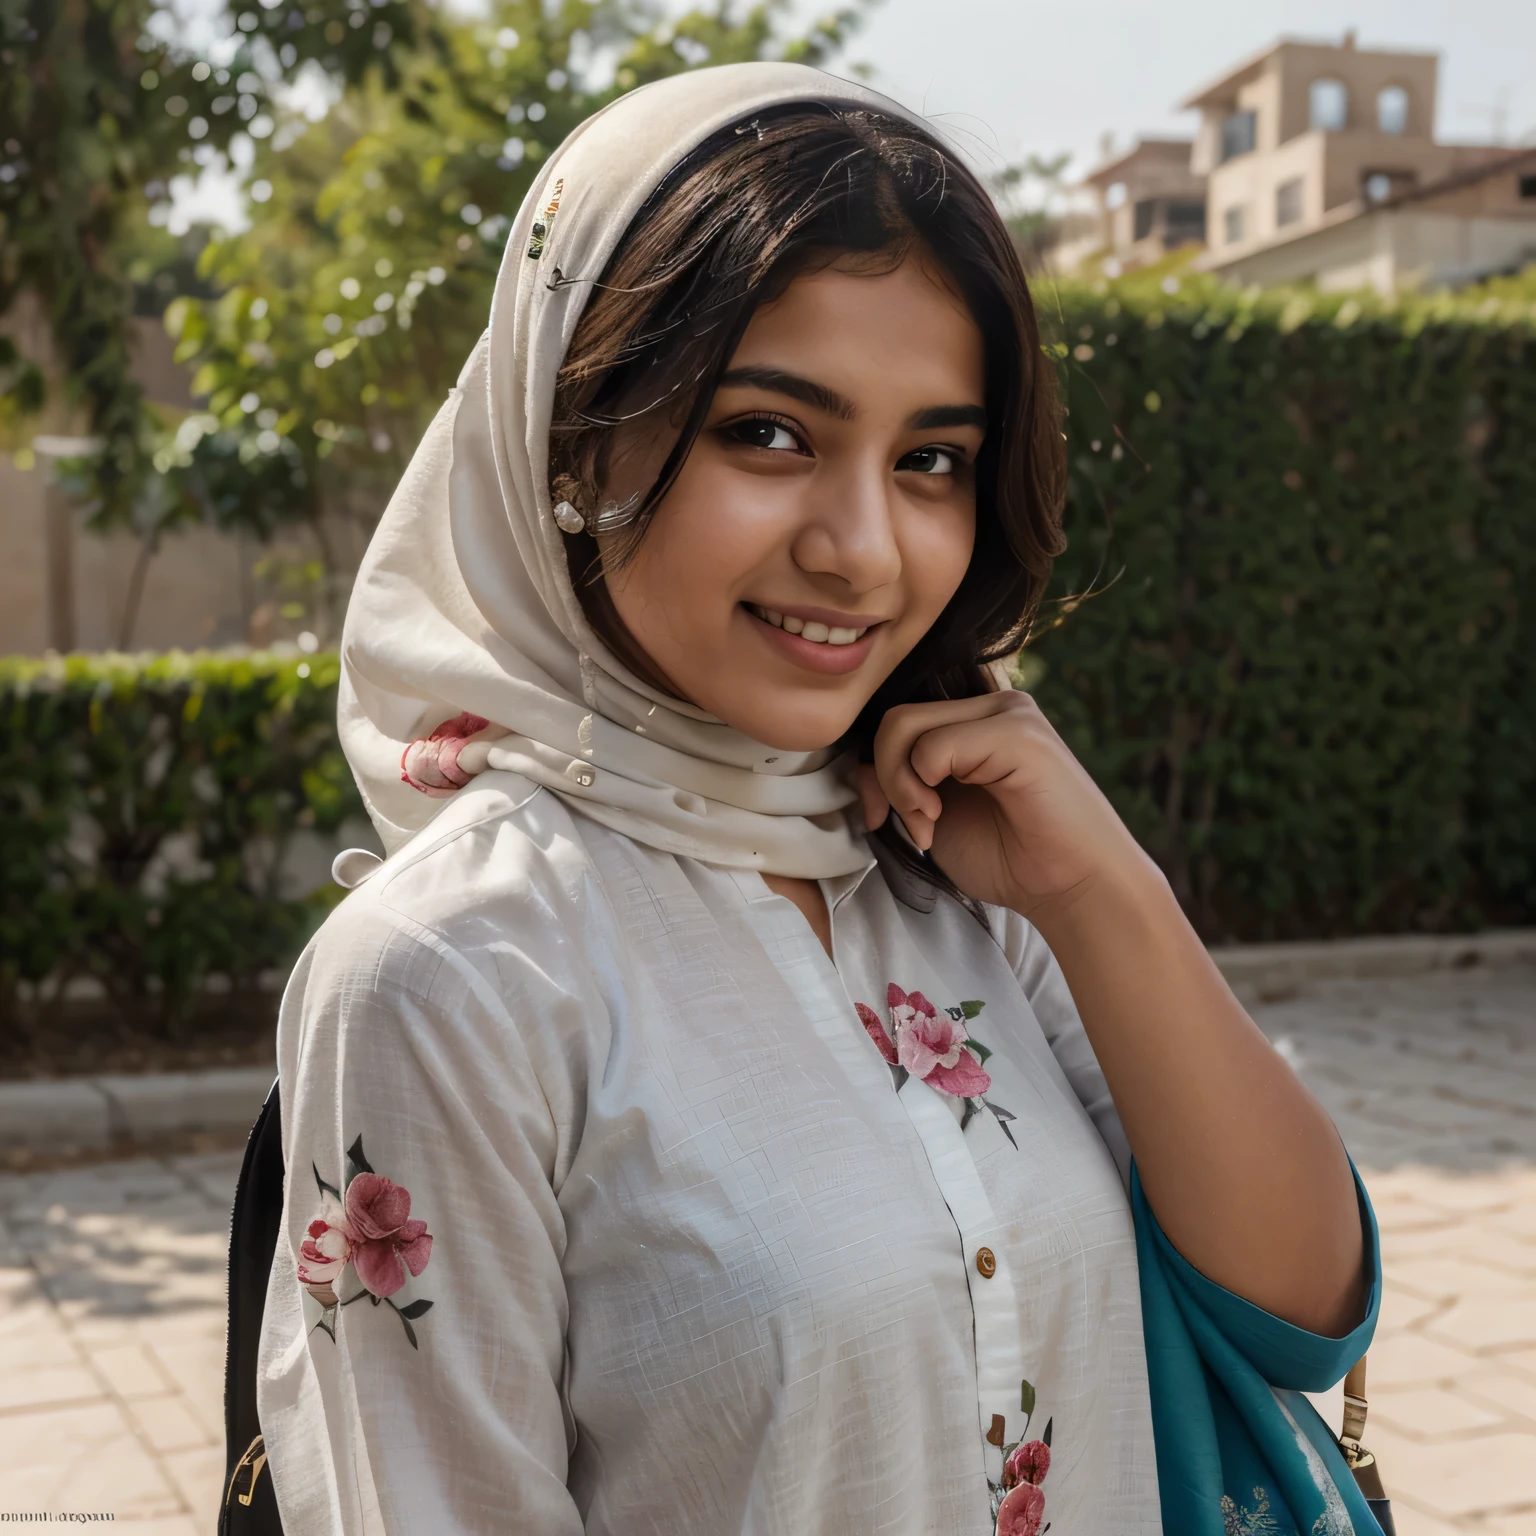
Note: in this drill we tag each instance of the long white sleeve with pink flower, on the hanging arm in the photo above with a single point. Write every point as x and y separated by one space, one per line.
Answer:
422 1150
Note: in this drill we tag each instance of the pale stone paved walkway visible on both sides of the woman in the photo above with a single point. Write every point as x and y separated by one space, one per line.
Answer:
113 1277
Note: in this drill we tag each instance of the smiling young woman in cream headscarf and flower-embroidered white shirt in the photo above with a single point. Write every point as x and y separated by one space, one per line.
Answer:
717 1114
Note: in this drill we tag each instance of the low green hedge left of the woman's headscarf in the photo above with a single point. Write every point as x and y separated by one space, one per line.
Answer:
147 807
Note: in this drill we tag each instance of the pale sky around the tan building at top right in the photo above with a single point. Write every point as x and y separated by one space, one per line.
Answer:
1024 76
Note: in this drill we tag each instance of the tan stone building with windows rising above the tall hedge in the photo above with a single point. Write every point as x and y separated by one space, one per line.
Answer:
1317 164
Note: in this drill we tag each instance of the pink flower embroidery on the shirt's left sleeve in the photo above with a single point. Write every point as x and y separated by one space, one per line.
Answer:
369 1228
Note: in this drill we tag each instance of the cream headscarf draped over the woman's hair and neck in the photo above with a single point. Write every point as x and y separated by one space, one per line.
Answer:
465 604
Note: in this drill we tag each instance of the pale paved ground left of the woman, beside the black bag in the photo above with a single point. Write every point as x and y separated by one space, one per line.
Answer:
111 1342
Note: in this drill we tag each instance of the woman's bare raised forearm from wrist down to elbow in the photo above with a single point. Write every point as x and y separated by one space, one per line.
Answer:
1242 1165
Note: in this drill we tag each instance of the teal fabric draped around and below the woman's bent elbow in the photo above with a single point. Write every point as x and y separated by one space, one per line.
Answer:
1239 1451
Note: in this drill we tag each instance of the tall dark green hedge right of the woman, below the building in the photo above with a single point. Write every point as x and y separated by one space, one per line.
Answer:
1308 670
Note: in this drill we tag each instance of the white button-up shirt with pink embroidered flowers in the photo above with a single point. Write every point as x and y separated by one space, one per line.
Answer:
703 1259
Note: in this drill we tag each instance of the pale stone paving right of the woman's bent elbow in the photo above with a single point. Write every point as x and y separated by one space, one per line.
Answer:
1432 1079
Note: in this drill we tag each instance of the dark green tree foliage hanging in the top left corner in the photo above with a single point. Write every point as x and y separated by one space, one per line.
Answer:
101 107
